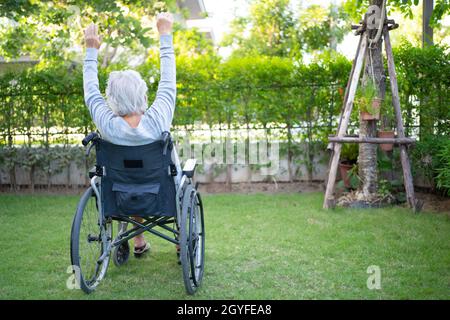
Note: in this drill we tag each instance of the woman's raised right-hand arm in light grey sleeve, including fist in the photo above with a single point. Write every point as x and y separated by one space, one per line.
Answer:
163 107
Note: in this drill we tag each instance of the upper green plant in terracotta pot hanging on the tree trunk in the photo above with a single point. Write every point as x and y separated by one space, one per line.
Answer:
368 102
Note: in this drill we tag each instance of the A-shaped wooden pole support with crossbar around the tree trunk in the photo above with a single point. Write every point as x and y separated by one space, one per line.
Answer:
335 142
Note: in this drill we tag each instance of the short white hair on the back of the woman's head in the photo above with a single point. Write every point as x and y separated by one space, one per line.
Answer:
126 92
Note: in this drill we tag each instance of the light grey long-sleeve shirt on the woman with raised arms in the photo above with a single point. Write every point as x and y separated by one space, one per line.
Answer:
157 119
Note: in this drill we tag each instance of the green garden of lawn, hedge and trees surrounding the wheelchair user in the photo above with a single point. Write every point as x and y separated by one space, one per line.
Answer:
283 86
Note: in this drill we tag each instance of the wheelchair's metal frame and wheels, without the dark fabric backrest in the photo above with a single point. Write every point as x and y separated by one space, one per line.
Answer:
187 197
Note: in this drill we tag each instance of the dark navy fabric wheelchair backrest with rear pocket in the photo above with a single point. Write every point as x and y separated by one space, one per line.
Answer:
137 180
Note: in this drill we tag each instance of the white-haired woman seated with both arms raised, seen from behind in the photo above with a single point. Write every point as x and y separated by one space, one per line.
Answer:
124 118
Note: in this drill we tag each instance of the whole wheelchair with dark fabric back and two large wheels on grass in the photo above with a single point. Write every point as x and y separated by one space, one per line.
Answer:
137 181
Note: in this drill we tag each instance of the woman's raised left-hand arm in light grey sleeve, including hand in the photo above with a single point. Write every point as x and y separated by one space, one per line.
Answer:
100 113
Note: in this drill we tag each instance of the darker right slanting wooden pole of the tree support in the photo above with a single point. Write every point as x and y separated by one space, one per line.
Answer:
407 177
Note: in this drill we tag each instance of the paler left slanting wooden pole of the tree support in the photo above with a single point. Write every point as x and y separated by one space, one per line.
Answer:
329 193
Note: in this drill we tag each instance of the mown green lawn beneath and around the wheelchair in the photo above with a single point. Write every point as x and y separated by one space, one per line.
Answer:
259 246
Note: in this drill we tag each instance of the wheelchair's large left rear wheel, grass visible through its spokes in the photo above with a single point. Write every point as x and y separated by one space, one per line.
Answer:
88 240
